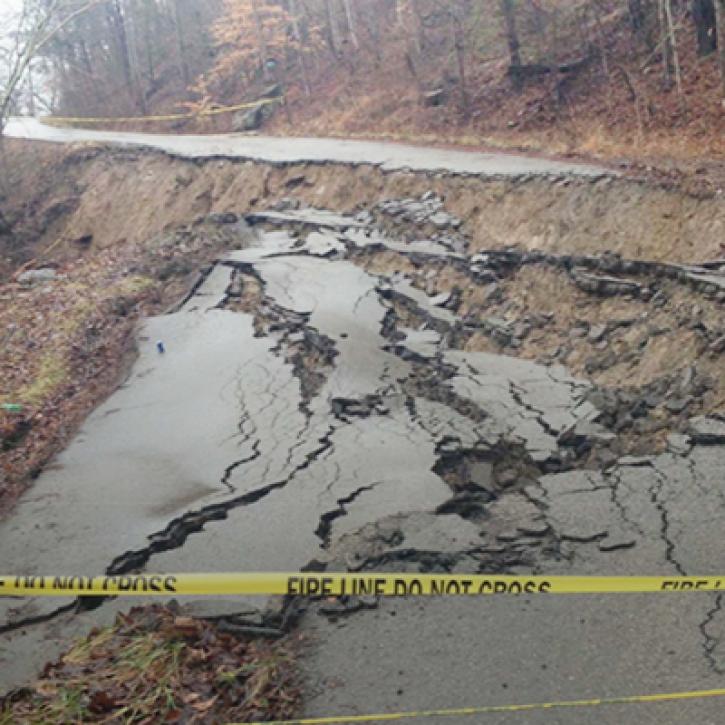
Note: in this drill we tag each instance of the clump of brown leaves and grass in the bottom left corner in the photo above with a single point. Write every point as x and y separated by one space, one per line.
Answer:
153 666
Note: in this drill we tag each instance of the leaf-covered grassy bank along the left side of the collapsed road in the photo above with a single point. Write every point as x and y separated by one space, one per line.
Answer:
65 343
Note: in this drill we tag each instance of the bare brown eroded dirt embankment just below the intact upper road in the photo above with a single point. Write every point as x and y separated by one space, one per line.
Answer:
129 195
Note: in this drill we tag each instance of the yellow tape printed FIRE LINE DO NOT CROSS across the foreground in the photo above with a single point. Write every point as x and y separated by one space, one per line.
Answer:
335 585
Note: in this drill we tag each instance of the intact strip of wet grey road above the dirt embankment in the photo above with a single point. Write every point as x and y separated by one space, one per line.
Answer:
269 149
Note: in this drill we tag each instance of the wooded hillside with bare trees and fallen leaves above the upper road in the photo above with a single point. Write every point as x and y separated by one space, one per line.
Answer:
599 77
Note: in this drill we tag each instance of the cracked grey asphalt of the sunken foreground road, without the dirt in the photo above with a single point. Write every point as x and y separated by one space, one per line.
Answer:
308 413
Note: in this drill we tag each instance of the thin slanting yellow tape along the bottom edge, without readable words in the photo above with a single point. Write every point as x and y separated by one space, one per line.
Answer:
491 709
